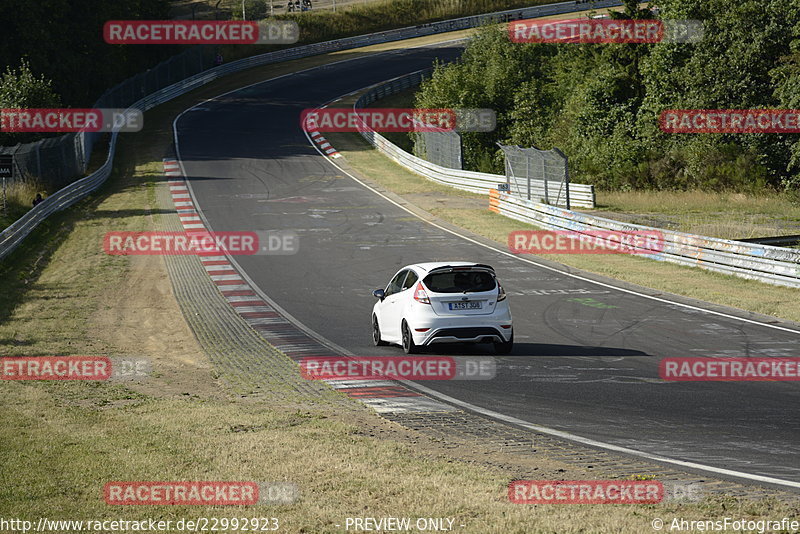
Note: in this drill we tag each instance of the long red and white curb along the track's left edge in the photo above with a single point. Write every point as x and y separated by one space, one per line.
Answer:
383 396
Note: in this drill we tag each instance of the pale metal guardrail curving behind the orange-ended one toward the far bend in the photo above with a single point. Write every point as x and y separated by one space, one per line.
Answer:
581 195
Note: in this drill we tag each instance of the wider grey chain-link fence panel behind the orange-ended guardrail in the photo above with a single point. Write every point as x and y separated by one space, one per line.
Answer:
539 175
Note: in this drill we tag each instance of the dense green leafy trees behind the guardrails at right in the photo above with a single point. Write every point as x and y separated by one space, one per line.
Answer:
600 103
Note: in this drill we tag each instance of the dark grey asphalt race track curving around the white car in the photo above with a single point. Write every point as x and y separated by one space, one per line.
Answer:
586 370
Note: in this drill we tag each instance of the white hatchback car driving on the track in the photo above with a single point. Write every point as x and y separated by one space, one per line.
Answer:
444 302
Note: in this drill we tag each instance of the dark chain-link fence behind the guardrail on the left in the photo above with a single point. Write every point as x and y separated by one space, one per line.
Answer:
55 162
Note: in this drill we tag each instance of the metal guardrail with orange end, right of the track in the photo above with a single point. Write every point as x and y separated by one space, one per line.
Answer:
773 265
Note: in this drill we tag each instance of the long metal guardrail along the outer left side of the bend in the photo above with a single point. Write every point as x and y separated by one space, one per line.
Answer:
12 236
